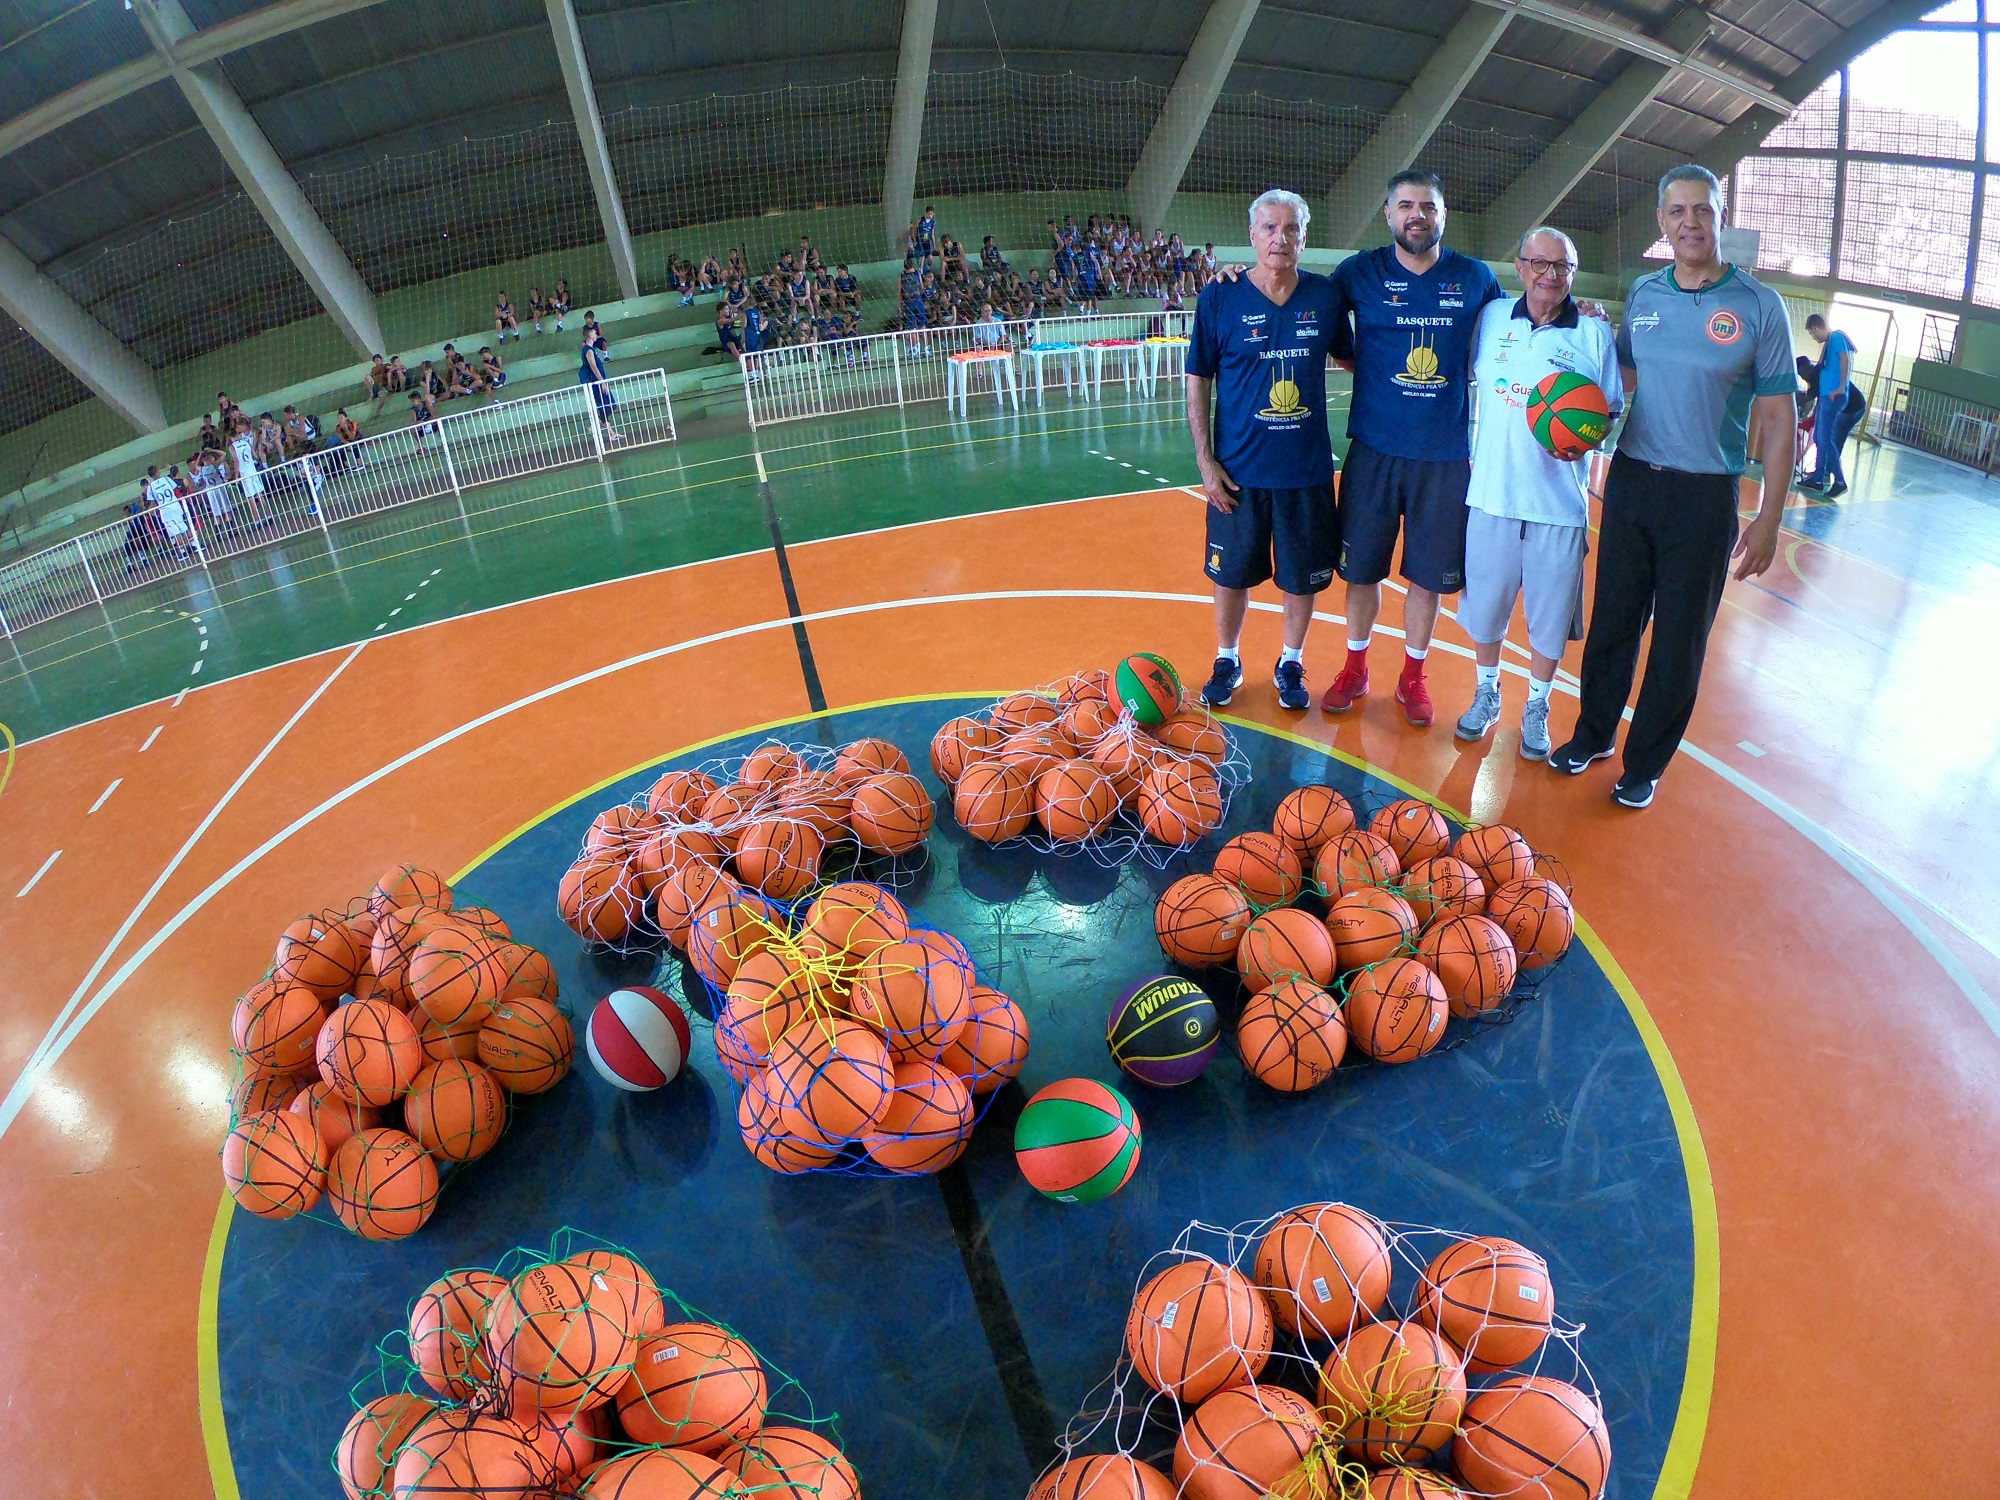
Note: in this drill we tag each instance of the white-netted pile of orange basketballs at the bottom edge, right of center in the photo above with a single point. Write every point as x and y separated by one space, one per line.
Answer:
1327 1353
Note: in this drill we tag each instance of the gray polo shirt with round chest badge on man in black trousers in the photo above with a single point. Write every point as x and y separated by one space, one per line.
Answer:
1701 359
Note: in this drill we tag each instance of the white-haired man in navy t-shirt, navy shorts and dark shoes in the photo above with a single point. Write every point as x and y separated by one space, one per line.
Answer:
1267 463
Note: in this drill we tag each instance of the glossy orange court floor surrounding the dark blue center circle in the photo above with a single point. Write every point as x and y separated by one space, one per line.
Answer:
1805 917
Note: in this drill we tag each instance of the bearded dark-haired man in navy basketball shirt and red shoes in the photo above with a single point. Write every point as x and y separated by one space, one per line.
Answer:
1405 329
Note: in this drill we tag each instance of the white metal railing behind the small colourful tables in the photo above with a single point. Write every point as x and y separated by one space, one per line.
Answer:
859 375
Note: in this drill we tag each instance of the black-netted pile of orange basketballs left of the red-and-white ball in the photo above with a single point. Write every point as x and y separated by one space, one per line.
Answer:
381 1055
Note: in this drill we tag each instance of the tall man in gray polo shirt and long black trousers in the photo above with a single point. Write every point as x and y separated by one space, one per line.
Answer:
1701 345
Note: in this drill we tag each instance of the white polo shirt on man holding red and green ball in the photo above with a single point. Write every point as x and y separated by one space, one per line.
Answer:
1513 475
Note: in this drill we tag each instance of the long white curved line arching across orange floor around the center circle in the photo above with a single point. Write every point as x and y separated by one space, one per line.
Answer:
73 1023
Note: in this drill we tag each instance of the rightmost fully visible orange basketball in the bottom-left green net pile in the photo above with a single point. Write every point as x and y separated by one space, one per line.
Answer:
695 1387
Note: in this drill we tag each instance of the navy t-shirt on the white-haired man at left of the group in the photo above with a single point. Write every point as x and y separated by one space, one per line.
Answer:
1269 365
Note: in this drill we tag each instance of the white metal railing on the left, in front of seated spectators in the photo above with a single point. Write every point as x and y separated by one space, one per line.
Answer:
321 491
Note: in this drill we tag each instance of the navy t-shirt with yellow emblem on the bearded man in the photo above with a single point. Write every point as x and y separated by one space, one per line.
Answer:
1411 341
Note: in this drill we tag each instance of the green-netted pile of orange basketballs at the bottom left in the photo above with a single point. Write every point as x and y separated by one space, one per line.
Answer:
573 1371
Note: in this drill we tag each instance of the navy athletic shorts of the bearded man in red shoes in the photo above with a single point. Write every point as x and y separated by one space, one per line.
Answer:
1423 499
